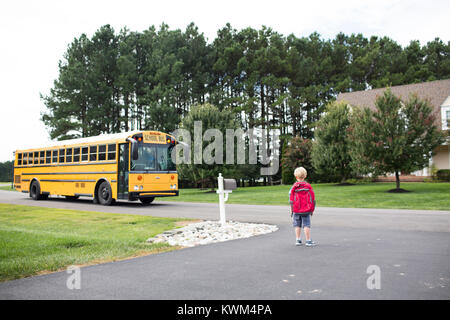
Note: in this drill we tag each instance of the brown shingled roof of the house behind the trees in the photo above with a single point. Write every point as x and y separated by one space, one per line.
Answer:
436 92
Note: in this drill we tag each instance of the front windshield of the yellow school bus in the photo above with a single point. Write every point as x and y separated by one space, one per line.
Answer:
153 157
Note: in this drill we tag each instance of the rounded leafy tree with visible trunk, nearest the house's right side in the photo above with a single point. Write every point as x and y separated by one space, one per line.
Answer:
398 136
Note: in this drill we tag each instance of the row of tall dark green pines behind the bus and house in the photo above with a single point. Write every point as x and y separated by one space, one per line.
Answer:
114 82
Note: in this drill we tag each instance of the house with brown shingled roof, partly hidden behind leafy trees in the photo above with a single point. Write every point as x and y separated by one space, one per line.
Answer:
436 92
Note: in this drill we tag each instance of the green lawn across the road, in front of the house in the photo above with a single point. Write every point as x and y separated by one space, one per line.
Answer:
423 196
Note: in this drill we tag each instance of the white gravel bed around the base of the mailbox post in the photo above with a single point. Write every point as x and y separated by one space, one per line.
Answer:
211 231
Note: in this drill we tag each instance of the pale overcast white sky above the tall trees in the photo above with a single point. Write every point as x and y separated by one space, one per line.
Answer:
35 34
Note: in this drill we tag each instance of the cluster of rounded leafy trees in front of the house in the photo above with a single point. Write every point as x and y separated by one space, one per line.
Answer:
397 137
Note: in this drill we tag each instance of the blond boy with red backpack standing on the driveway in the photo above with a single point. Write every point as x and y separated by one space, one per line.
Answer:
303 203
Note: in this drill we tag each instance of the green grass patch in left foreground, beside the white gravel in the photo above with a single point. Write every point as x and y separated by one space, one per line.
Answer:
38 240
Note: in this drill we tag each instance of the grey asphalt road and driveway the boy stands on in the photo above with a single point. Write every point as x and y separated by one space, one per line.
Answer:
411 249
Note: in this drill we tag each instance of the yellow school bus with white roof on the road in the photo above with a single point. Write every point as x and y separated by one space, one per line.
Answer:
131 166
